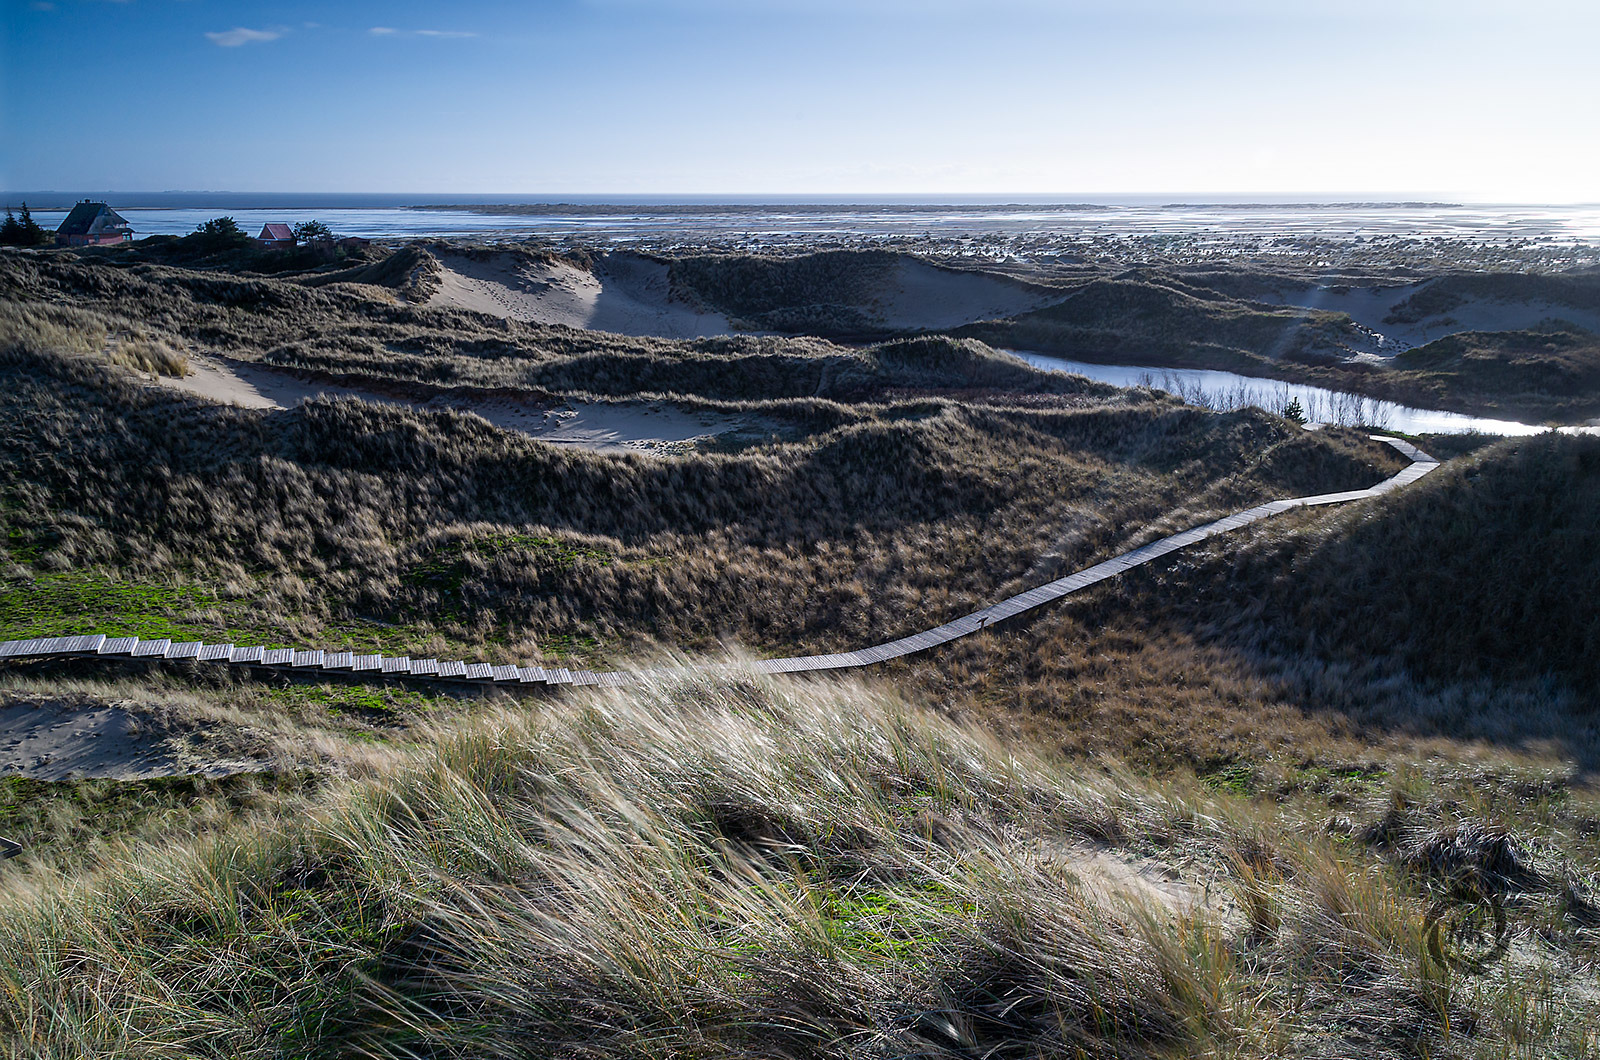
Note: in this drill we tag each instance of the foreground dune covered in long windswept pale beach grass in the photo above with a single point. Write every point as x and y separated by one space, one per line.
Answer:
735 869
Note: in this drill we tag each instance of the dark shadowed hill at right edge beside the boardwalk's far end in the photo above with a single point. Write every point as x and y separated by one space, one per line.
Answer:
1481 571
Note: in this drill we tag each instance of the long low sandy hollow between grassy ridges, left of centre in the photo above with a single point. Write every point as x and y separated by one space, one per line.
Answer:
649 427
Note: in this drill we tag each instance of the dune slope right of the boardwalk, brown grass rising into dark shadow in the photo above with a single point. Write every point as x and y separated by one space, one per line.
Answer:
1449 619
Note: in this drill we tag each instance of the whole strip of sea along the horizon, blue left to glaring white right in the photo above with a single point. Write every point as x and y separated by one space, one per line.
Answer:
638 219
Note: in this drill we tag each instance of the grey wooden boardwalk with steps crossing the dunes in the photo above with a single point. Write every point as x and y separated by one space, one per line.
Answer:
388 667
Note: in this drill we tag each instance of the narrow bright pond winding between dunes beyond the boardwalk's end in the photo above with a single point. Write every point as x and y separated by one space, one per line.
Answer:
1226 391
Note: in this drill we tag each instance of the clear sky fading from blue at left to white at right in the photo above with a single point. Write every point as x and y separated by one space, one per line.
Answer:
1460 100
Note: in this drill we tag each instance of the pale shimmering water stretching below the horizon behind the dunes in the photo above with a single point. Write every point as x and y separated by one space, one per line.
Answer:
391 219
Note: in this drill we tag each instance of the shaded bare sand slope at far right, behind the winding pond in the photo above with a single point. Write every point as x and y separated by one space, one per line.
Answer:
1370 305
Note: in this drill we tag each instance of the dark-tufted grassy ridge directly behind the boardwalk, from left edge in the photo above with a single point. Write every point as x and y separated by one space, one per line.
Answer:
334 518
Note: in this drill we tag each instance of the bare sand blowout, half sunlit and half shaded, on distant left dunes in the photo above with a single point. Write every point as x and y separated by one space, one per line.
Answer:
626 294
